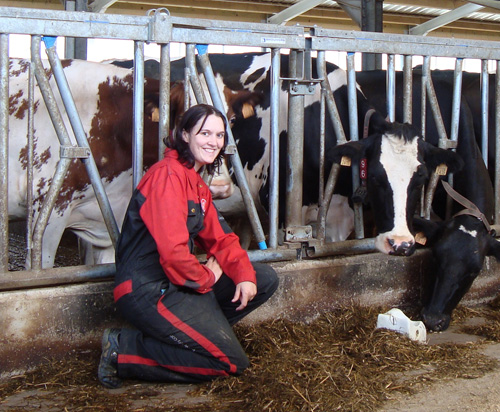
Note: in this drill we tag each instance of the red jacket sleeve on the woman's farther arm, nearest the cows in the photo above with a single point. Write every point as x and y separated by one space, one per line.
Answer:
218 240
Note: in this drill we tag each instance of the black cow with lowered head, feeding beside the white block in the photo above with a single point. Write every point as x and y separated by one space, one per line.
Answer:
460 244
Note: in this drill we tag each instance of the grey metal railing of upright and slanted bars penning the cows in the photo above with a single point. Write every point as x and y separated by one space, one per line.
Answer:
161 28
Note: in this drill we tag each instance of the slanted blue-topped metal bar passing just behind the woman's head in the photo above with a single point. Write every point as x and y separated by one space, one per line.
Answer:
238 167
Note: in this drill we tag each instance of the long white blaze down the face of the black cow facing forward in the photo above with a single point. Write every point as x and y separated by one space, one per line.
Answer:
400 161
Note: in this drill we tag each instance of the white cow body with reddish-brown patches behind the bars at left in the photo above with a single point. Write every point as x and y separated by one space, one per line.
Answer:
103 97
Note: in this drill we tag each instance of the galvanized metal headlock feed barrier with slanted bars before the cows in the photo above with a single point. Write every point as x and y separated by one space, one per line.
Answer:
301 43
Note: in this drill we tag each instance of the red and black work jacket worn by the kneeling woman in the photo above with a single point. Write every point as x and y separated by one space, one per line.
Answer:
170 211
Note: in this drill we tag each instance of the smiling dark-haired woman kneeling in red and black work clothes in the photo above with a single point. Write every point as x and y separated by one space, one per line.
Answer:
183 310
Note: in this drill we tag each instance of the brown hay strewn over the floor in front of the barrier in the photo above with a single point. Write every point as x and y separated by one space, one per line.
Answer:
339 362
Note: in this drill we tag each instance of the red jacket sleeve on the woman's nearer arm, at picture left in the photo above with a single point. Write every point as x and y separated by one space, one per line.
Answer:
165 215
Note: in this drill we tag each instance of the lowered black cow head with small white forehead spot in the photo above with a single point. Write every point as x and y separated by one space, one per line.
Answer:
459 247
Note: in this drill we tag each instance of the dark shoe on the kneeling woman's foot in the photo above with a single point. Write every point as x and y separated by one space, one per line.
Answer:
107 372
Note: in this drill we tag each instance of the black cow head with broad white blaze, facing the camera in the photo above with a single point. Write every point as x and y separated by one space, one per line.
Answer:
399 163
